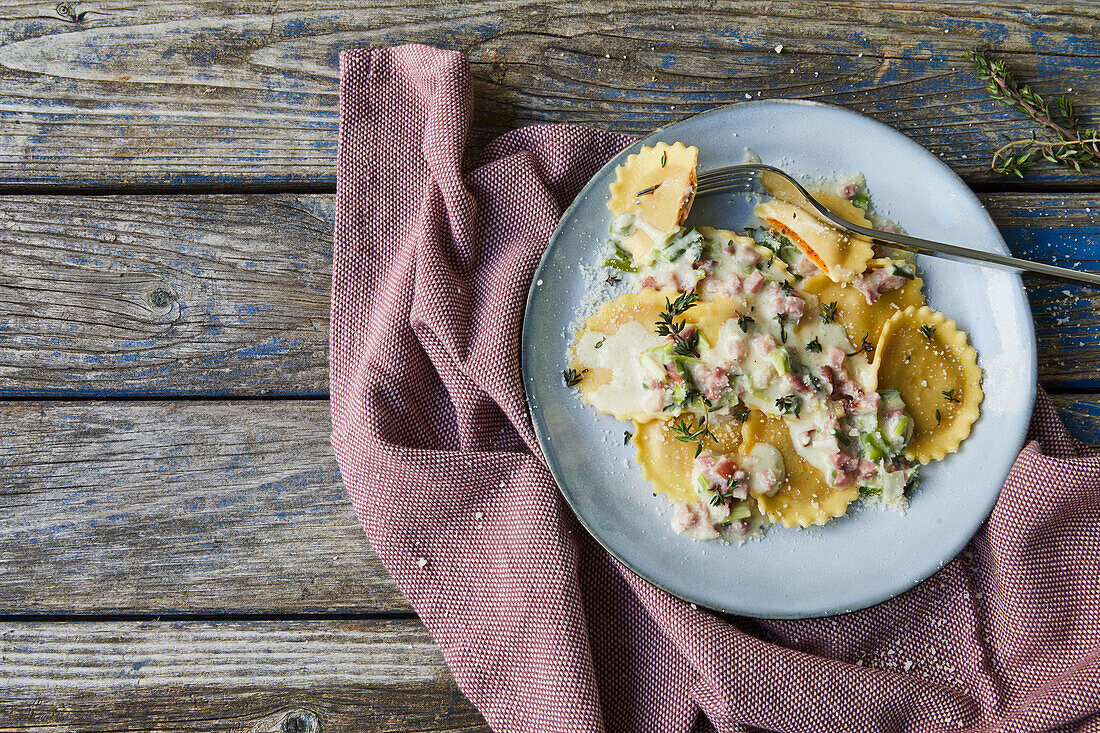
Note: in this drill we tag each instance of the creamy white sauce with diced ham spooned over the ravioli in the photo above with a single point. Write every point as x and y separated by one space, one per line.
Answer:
777 352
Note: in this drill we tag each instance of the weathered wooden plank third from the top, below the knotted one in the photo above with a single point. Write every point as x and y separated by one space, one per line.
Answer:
199 508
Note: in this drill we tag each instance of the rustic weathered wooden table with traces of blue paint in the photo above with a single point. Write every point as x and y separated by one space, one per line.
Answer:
177 550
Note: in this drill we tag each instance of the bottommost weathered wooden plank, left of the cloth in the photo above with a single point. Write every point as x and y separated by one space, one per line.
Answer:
260 677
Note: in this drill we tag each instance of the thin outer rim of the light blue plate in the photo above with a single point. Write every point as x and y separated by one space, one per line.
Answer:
549 457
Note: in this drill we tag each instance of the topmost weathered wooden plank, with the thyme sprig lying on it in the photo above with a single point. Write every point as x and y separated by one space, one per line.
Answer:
201 92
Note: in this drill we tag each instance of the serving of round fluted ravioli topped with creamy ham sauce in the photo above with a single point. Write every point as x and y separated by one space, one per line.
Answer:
773 376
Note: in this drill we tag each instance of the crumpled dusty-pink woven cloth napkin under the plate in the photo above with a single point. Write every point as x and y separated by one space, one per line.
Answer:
543 630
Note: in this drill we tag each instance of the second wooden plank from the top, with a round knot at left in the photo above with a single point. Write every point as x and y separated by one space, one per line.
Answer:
229 296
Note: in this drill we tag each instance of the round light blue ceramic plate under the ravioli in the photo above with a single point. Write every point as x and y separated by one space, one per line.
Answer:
871 555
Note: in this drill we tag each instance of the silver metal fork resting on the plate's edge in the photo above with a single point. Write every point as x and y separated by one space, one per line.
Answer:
757 179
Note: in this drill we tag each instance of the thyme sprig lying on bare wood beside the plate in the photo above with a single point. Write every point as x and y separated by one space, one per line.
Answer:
1060 139
